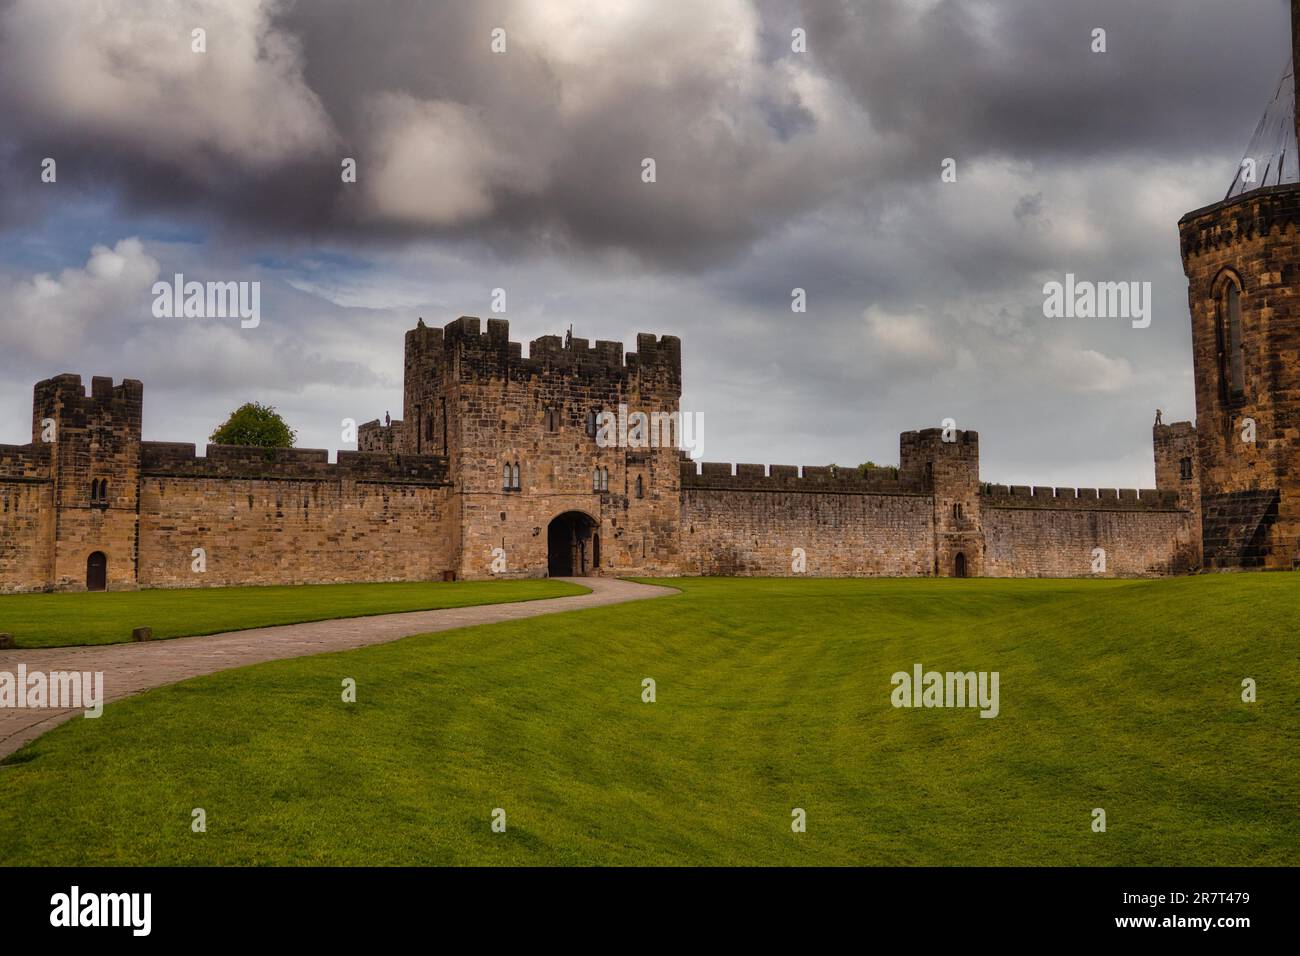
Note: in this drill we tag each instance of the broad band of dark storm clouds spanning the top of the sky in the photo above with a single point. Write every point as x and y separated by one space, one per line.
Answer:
541 146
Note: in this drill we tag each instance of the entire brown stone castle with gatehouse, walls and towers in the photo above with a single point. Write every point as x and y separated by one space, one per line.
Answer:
497 468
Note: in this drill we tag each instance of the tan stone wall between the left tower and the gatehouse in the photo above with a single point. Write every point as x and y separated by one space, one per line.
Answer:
289 517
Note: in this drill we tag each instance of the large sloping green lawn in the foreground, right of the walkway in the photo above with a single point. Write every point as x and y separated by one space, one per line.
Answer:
772 695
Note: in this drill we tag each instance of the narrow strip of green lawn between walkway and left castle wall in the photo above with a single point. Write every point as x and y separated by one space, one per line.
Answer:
50 621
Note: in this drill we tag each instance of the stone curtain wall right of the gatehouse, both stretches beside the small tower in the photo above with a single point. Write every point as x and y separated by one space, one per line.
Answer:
748 522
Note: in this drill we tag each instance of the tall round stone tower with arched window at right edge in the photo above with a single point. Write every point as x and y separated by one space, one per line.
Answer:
1242 258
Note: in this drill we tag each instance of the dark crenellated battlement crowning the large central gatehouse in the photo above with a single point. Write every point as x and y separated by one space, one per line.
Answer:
492 354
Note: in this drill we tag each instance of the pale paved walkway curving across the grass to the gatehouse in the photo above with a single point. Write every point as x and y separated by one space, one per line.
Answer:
132 669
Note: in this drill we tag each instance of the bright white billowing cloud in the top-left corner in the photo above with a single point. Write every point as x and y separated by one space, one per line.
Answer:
125 71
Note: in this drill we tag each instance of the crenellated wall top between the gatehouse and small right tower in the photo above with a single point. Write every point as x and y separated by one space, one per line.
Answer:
788 478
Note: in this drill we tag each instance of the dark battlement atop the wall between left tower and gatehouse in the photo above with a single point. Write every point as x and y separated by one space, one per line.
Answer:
180 460
